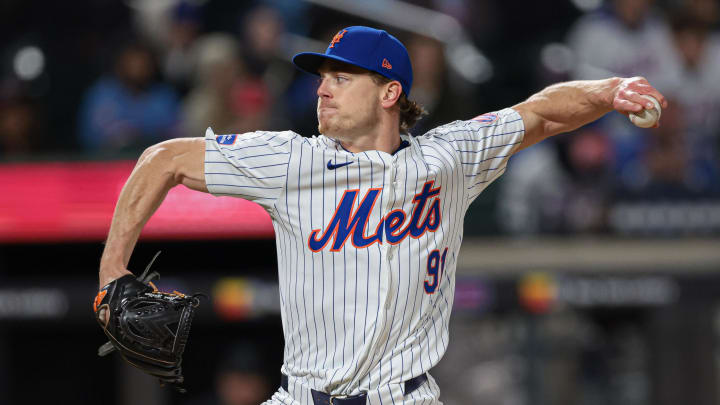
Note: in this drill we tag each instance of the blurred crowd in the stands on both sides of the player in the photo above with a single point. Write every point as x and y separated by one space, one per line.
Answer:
165 69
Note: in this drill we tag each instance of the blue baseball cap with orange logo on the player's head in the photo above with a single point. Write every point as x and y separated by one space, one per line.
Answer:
365 47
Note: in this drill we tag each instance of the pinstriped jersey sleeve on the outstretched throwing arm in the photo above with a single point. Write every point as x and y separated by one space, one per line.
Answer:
484 145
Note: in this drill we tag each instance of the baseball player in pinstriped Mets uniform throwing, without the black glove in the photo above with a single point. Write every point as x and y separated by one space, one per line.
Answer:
368 219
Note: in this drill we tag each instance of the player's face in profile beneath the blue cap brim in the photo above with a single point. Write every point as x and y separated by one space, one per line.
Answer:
348 101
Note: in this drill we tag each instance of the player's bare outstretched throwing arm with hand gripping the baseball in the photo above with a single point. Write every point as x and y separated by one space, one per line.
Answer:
564 107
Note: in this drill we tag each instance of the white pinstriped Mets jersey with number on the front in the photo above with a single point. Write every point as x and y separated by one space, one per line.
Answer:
367 242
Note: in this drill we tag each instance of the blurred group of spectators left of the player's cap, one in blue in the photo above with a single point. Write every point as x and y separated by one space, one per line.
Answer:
172 79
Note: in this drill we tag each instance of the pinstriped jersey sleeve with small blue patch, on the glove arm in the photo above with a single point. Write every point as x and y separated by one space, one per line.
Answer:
252 166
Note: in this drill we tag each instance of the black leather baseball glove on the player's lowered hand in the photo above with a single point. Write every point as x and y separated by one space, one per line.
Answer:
148 327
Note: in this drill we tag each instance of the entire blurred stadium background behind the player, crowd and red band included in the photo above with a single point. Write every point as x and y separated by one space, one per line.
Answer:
589 274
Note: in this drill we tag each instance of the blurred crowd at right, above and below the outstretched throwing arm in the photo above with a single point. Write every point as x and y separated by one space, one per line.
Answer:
612 175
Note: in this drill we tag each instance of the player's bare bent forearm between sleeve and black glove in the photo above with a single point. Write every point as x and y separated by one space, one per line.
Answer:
142 194
